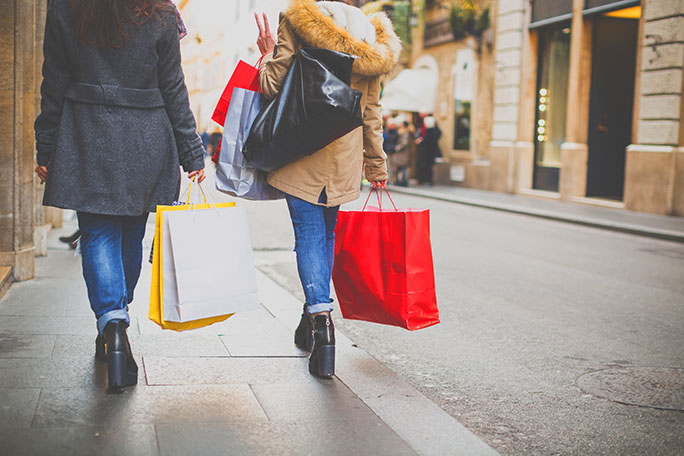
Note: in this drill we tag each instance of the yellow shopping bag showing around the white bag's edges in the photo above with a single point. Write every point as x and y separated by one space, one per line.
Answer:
156 313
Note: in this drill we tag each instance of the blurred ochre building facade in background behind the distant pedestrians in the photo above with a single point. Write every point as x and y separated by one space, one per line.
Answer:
463 67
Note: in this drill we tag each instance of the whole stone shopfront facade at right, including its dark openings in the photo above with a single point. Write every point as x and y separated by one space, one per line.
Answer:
588 102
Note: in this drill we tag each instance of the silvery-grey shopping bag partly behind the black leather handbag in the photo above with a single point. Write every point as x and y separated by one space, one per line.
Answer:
234 175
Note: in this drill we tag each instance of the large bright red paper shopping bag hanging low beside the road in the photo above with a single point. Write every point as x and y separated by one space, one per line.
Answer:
383 270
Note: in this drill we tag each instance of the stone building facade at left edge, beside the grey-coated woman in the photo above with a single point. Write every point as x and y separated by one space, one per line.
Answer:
24 223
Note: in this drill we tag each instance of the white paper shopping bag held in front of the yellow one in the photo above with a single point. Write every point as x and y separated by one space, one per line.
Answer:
207 264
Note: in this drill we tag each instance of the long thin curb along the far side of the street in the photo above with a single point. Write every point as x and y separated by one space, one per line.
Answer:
577 220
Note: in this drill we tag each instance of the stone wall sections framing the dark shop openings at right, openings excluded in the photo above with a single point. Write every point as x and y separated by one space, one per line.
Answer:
654 171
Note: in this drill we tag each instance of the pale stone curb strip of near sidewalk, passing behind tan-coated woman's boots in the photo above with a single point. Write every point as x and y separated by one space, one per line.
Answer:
421 423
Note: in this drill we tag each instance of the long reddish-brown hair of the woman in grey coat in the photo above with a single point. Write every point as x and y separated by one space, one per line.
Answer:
104 23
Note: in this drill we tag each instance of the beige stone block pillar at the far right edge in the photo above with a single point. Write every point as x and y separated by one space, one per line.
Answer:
654 177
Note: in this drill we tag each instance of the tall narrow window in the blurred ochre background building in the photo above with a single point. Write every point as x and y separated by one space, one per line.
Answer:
464 89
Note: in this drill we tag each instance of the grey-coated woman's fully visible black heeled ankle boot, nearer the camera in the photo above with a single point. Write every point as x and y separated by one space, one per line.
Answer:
121 367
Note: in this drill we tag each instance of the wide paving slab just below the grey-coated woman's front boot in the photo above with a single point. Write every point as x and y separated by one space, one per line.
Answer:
64 407
